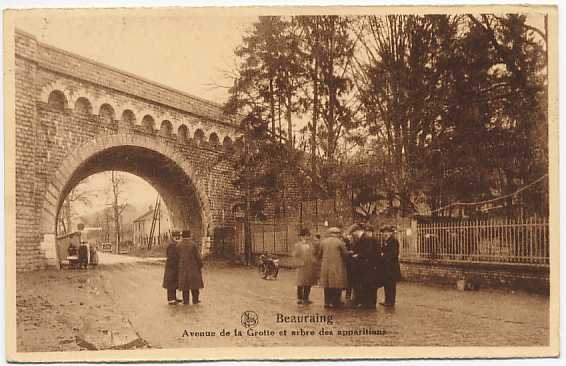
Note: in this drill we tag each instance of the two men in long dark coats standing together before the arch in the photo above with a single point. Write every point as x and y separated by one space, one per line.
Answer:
183 268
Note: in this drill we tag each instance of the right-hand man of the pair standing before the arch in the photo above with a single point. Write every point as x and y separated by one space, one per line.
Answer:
190 268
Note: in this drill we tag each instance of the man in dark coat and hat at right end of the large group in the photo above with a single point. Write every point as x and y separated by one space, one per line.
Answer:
391 267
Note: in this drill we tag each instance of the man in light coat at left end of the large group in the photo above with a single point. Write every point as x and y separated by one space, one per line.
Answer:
307 269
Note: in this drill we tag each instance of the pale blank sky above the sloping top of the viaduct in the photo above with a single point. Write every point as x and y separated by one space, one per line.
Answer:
188 52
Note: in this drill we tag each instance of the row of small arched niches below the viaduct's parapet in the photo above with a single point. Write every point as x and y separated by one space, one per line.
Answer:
83 106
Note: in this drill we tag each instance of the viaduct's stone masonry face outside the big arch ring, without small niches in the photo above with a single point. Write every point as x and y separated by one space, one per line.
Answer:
45 134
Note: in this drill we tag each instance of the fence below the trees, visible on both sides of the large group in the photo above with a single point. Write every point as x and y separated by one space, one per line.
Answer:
519 241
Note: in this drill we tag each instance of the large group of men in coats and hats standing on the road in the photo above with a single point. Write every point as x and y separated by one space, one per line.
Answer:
356 260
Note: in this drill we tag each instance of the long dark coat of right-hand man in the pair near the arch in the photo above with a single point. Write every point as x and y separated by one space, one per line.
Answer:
190 266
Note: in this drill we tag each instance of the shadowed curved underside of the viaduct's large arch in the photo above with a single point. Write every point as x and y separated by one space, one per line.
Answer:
178 192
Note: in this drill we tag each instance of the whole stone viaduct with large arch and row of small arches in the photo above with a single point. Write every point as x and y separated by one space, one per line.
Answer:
75 117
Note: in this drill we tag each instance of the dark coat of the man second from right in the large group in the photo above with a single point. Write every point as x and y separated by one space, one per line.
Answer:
368 262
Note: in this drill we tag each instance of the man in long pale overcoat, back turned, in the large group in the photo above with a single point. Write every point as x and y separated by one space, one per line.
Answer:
333 275
